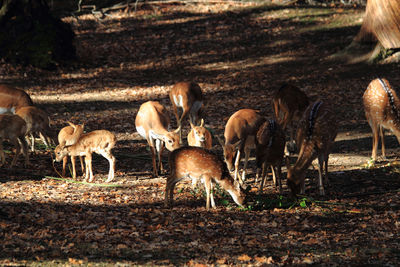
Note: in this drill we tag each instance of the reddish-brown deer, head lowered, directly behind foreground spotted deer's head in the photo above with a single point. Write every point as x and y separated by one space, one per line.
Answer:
240 132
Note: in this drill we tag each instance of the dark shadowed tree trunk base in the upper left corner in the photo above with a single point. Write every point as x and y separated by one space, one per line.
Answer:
31 35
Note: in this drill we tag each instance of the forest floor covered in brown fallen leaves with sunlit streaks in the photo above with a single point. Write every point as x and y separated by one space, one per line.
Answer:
239 53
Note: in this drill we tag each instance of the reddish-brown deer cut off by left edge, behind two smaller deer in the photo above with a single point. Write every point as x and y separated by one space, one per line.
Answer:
12 98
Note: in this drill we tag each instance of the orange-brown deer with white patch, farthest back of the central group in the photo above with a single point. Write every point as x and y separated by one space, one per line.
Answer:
188 97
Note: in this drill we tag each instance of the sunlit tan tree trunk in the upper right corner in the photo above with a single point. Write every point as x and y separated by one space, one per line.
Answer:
381 23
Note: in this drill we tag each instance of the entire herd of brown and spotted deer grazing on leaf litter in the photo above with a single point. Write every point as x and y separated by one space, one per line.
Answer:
245 130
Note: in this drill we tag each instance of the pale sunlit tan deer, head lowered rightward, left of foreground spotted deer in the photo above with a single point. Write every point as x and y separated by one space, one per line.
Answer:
151 123
